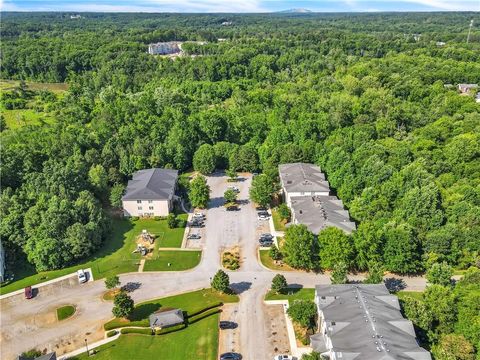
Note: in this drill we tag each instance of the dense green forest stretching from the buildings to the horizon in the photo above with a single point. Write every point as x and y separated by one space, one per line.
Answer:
355 93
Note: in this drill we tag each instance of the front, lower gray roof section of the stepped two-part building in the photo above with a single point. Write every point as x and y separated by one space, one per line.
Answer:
319 212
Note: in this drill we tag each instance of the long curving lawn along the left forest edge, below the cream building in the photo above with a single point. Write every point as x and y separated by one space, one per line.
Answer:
115 257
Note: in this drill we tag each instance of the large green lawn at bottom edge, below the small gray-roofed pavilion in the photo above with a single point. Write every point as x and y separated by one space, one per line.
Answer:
197 341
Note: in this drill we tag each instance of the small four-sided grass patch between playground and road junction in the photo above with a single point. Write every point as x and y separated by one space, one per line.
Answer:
178 260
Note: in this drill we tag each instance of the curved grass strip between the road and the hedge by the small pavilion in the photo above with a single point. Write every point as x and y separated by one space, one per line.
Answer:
189 302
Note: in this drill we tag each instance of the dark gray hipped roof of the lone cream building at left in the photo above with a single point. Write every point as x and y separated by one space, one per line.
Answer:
151 184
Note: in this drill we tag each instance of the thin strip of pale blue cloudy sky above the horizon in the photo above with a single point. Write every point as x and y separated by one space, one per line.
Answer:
238 5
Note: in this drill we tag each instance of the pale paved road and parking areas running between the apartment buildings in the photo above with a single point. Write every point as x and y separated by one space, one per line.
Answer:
26 324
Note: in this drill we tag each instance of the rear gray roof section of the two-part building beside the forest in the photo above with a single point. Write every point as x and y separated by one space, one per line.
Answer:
302 177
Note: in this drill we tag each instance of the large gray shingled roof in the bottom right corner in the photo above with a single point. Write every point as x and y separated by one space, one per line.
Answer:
364 322
